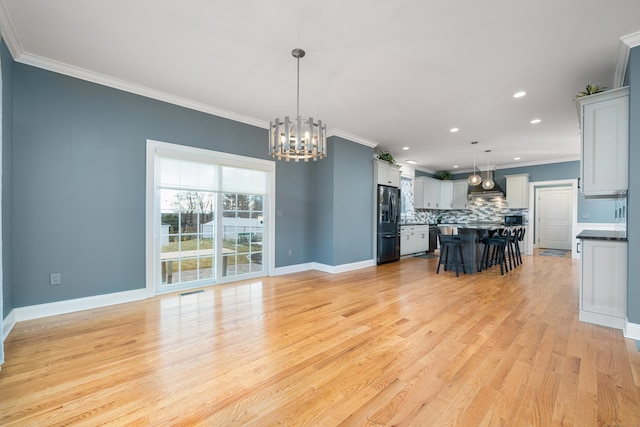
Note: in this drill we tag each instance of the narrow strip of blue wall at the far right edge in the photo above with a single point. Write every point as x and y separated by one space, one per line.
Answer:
633 203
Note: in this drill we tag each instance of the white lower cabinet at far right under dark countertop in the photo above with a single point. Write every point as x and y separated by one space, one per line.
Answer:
603 282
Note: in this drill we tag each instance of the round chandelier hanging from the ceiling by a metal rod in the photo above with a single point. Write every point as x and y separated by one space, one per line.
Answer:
300 138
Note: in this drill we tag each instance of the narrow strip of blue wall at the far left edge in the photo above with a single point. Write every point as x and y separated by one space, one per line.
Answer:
7 168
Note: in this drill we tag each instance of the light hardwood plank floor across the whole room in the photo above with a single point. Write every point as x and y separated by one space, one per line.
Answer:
389 345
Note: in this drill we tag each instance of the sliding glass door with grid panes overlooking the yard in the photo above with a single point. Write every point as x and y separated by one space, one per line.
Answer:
209 218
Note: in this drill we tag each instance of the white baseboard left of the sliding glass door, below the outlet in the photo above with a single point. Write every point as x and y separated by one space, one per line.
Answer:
78 304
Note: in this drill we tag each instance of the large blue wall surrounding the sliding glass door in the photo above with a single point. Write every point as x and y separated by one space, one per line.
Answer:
78 184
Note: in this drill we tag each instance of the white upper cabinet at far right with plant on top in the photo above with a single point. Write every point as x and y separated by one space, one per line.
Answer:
604 121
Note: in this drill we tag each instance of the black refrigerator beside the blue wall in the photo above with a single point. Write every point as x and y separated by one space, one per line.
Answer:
388 224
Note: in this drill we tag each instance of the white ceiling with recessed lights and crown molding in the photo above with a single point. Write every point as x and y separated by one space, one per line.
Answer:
384 73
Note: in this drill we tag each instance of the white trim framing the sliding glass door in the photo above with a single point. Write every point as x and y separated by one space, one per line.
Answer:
185 152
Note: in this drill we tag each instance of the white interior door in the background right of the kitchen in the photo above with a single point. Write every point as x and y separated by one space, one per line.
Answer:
554 218
